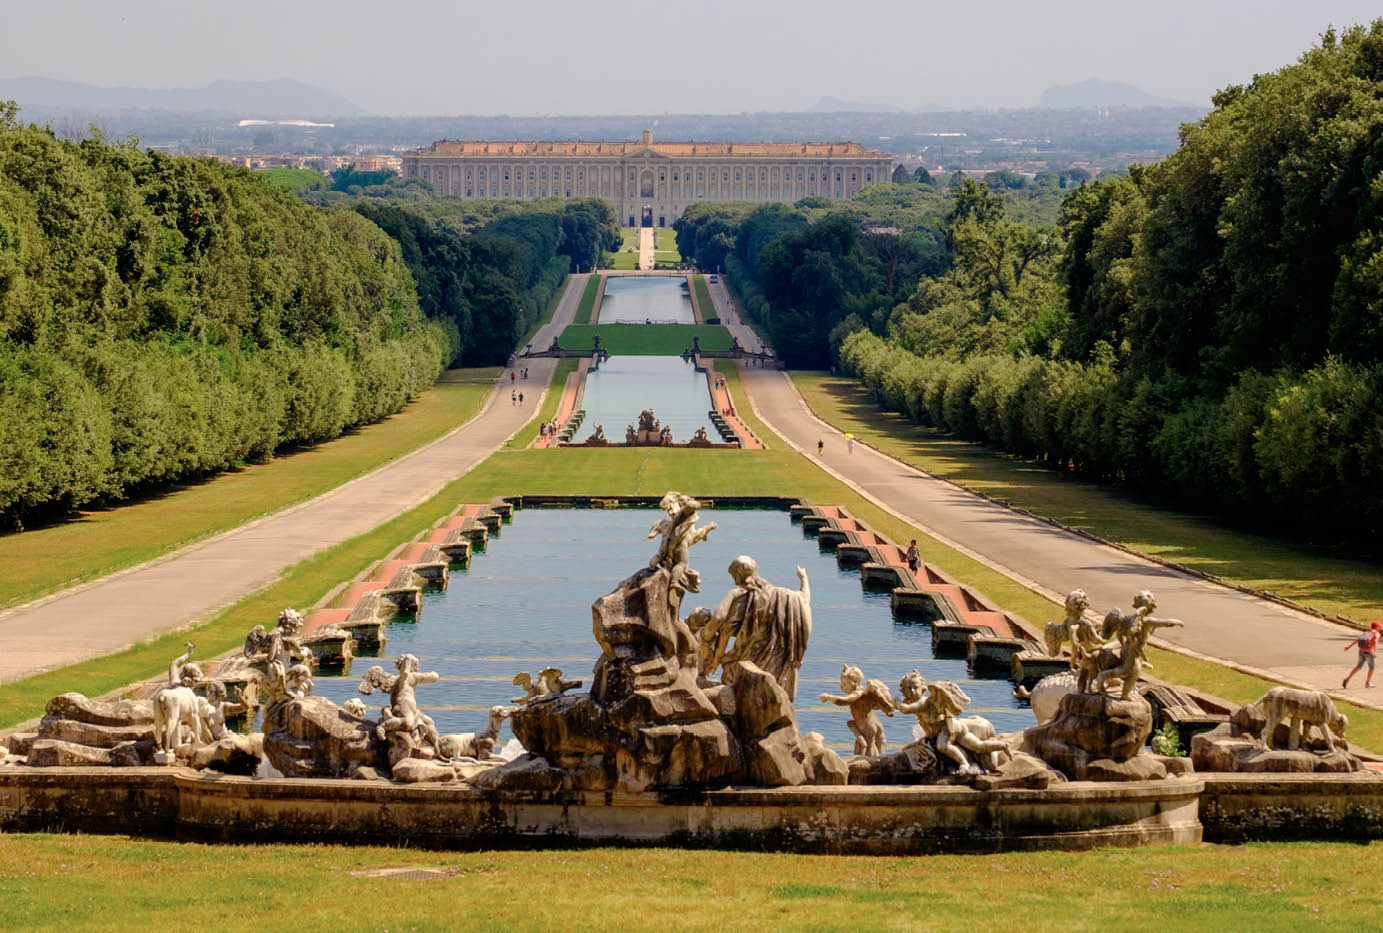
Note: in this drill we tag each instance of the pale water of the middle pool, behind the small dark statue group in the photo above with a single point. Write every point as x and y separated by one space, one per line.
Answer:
624 386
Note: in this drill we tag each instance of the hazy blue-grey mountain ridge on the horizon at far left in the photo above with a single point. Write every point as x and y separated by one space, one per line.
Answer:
273 99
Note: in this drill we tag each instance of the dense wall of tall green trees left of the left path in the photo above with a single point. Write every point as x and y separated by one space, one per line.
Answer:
164 319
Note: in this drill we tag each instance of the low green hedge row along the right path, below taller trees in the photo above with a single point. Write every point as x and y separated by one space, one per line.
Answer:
1299 447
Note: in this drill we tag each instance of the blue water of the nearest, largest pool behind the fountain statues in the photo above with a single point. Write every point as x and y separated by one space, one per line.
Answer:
525 605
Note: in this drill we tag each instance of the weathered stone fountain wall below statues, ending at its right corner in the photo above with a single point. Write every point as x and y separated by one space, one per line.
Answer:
876 820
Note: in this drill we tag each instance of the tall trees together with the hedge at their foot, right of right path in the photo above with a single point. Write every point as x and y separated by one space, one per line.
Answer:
1209 327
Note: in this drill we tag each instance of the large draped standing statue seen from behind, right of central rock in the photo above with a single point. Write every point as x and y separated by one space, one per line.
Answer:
770 625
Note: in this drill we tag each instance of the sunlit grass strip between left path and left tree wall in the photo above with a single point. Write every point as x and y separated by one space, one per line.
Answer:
103 541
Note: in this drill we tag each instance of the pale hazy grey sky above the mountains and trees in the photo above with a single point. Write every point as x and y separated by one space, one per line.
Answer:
445 57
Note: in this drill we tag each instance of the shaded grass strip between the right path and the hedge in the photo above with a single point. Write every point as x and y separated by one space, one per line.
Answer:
1330 583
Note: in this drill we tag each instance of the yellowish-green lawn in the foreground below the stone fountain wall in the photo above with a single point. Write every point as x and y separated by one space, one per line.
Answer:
128 884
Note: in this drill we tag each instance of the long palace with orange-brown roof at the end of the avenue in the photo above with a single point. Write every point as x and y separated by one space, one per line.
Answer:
649 183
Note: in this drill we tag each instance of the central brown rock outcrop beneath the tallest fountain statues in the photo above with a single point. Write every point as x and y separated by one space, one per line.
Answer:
653 719
